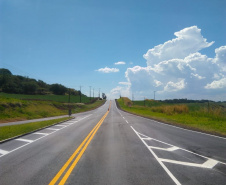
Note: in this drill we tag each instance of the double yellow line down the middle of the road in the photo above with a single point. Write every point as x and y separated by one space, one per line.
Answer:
67 171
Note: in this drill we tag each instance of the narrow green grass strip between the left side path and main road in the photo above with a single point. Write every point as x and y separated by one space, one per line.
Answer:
7 132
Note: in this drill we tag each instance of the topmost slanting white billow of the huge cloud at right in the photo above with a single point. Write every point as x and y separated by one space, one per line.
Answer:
189 40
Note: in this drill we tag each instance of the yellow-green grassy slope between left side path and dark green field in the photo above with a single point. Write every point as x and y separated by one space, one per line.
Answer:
12 109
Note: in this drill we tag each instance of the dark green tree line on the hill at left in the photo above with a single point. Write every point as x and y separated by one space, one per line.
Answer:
17 84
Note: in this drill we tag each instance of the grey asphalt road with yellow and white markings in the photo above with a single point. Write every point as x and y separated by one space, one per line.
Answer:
113 147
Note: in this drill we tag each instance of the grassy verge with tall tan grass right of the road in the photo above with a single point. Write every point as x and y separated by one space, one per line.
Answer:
197 116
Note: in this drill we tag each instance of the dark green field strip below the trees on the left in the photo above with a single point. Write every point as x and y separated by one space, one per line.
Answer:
57 98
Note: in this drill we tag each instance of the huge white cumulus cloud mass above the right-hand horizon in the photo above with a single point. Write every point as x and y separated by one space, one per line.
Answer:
177 69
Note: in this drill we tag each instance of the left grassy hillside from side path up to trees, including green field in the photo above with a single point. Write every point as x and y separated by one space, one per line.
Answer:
20 108
